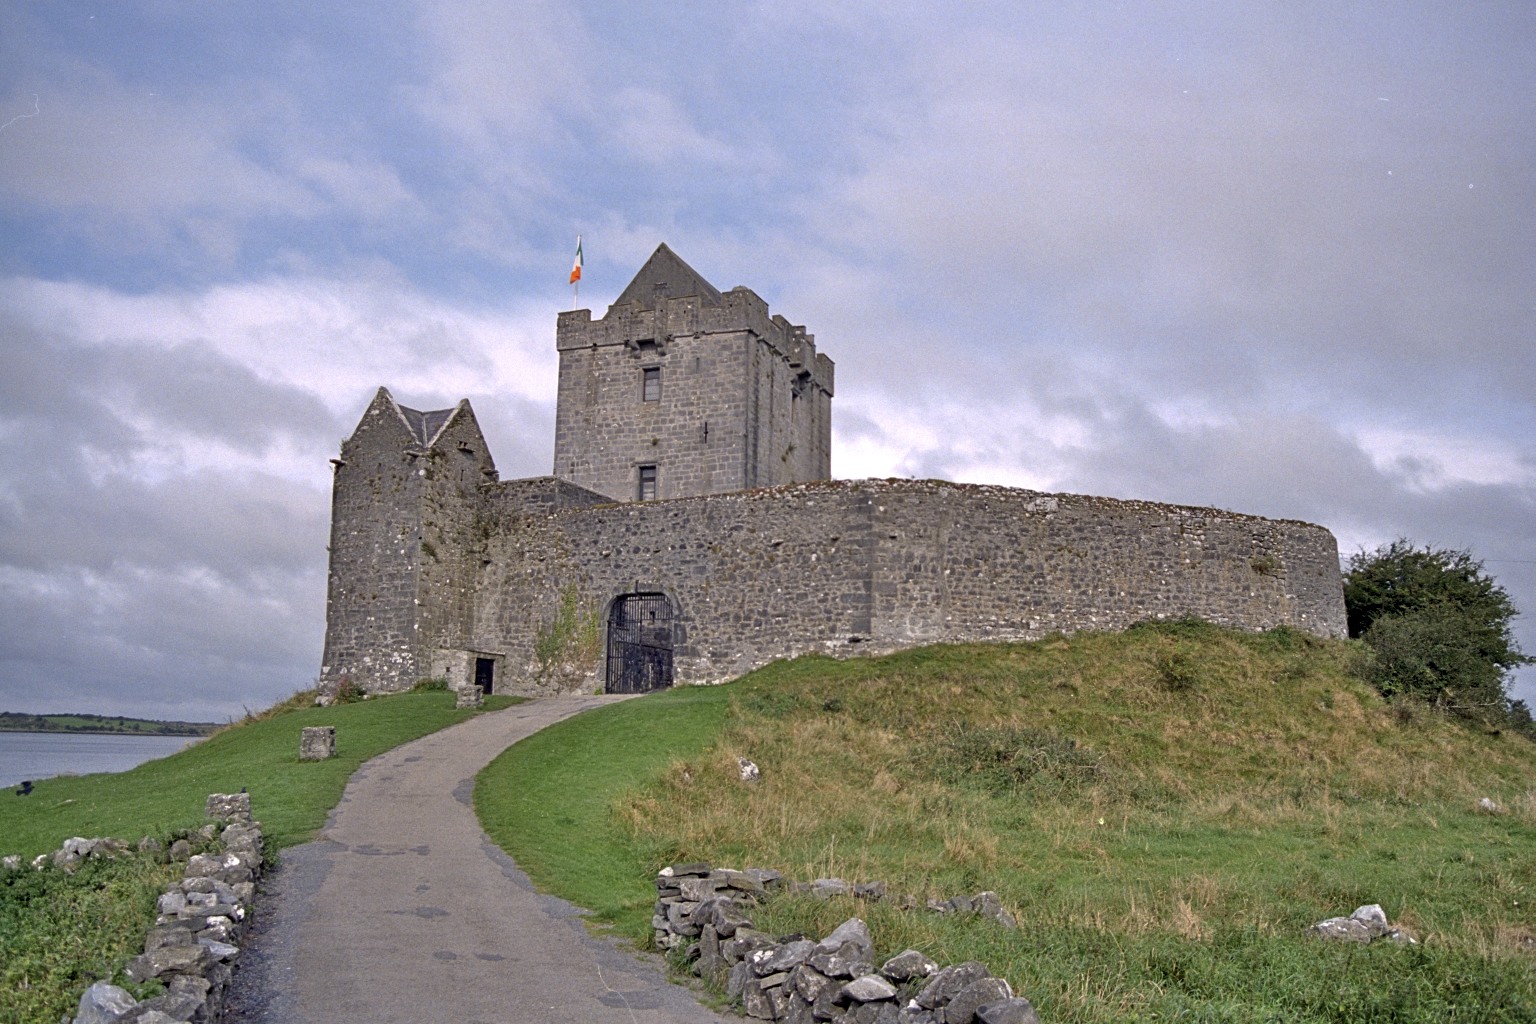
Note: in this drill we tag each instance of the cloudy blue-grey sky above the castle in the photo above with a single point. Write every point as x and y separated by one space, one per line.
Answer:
1268 257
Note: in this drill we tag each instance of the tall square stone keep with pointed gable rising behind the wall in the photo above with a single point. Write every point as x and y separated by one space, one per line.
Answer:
681 391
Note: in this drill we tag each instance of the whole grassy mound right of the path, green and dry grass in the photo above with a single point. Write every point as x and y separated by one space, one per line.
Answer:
1164 810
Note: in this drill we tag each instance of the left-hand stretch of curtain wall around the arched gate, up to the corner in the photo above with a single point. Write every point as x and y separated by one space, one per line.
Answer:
753 575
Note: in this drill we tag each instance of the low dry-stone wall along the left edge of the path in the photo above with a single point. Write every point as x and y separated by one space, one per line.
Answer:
194 943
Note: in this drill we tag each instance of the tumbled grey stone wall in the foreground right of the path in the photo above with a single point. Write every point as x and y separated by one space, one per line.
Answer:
706 913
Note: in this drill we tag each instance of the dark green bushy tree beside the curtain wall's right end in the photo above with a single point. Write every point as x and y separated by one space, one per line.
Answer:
1438 627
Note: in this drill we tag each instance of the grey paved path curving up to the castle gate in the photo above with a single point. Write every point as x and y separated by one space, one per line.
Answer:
405 911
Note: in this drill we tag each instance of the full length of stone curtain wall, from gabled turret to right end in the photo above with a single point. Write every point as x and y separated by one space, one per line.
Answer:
875 566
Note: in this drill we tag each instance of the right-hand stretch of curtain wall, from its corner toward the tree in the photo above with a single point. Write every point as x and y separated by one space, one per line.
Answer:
967 563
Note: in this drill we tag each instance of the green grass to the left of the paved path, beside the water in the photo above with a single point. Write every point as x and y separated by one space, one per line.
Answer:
61 933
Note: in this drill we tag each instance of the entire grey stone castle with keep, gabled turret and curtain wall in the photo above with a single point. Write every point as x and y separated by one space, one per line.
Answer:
690 530
